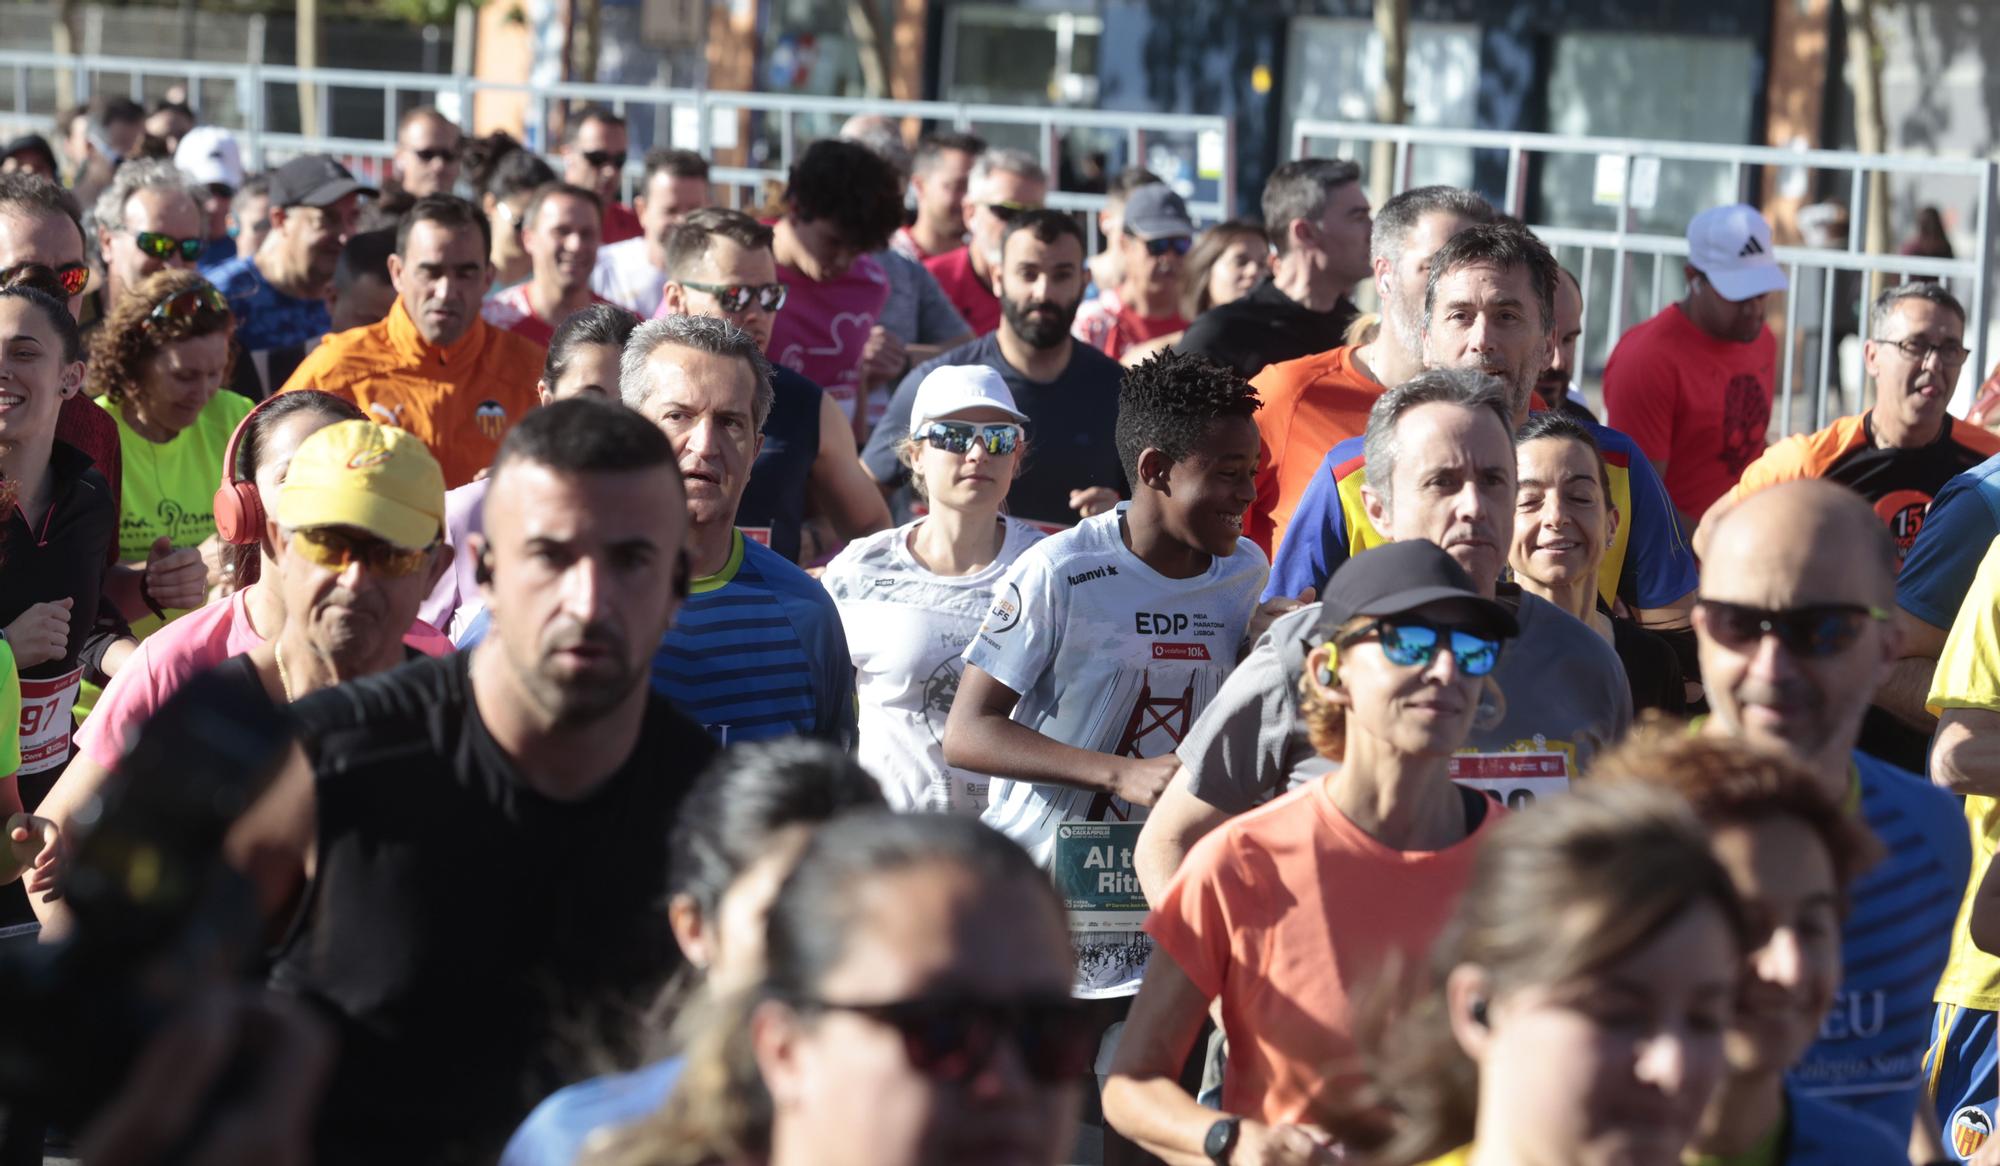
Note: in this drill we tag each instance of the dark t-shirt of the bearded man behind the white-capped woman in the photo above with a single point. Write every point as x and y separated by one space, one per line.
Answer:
1071 429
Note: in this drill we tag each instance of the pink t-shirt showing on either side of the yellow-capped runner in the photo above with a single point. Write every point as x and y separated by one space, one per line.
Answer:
167 659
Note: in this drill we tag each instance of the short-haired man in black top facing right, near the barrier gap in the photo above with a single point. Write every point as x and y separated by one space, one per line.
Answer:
1317 221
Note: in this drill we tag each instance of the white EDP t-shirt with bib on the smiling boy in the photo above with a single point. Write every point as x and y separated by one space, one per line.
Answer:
1117 659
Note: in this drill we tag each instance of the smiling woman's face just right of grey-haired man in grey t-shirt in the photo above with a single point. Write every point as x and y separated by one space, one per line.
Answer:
1563 519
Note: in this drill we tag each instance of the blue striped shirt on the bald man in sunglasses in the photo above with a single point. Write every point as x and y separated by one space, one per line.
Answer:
1893 949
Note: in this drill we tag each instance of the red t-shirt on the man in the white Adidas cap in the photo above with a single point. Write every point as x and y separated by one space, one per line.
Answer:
1691 401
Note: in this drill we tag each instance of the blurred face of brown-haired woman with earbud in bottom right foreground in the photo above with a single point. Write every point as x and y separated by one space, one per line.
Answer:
1615 1067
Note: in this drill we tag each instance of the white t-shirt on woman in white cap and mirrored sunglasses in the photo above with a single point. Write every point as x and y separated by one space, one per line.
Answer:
907 631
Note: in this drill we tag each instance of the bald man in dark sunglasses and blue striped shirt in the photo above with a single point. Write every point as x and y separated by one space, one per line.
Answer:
1795 627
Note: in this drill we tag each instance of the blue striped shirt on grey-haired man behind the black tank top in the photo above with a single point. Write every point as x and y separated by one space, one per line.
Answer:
757 653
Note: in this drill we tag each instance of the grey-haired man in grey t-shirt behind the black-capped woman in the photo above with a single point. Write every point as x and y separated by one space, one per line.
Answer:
1441 469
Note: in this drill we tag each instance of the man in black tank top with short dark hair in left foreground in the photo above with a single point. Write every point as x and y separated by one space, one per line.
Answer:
487 833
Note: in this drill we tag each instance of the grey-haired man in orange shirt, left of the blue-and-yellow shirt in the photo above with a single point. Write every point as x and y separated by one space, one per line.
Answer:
1319 401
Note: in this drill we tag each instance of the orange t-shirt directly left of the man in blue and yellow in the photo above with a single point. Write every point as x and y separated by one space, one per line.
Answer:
1311 405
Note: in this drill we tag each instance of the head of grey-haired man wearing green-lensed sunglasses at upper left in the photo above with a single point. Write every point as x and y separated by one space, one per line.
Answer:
149 219
